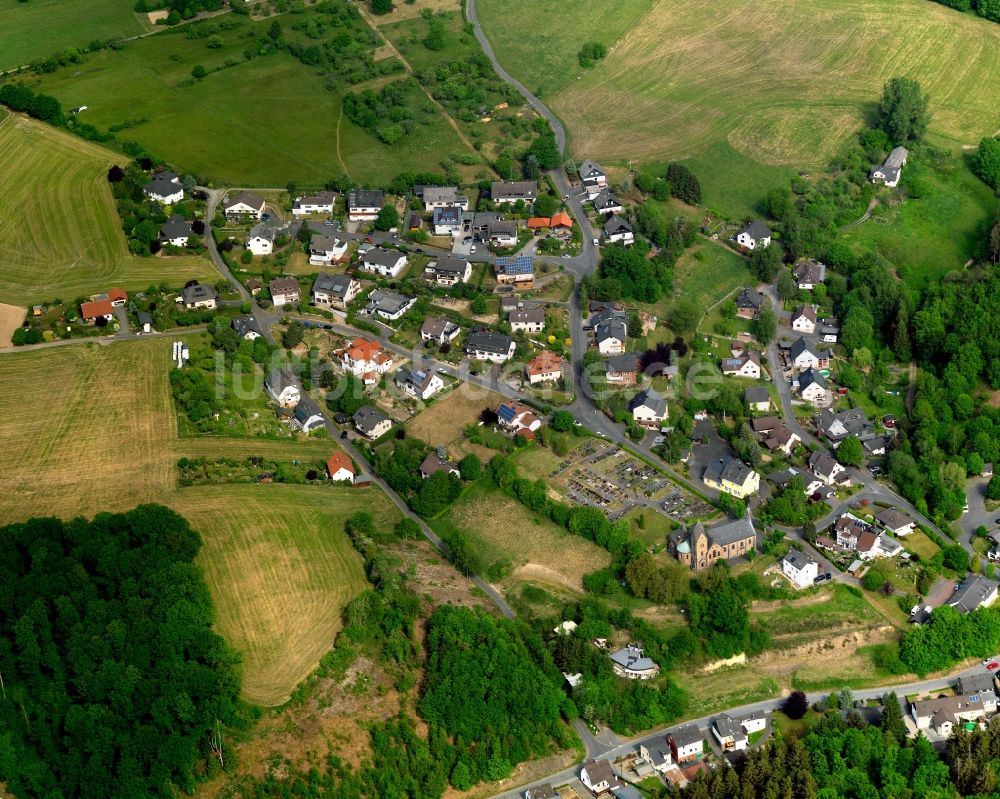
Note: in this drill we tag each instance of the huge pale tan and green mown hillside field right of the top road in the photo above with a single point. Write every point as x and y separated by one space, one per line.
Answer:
785 84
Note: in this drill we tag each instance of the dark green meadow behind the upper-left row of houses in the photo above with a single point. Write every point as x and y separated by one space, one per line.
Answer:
293 129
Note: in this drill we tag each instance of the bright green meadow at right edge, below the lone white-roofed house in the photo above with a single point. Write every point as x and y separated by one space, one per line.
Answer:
929 237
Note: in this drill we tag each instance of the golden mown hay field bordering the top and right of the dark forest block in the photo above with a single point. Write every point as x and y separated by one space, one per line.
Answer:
89 428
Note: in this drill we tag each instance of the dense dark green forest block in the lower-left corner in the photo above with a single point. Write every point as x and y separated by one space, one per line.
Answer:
114 683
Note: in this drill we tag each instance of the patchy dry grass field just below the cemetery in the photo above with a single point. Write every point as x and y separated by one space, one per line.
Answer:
501 528
